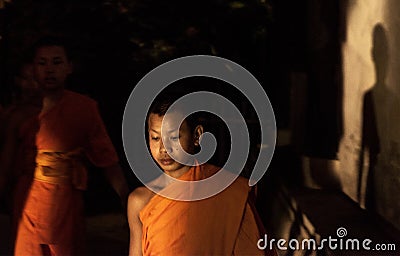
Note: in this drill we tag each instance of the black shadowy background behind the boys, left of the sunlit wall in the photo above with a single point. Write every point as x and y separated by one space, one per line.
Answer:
115 43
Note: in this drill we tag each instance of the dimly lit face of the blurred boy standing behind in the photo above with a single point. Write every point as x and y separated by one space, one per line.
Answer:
51 67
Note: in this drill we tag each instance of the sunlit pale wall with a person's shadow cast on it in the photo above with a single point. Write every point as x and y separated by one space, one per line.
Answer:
371 106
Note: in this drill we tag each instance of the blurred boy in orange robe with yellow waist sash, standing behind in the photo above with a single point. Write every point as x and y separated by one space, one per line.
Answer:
67 133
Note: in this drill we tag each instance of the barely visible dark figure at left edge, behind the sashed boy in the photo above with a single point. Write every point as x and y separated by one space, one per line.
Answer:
17 152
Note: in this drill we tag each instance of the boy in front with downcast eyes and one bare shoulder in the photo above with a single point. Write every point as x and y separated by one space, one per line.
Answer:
224 224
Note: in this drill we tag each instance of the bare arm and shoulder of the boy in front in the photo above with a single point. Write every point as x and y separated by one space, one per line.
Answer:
136 201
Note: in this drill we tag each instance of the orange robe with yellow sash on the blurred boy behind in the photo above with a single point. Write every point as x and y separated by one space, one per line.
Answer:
53 212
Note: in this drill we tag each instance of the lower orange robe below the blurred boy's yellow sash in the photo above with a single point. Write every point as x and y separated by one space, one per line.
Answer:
52 215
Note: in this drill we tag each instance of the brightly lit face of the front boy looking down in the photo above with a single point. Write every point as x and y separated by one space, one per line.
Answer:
162 150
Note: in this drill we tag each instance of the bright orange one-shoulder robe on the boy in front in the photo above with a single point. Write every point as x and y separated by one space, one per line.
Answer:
223 224
